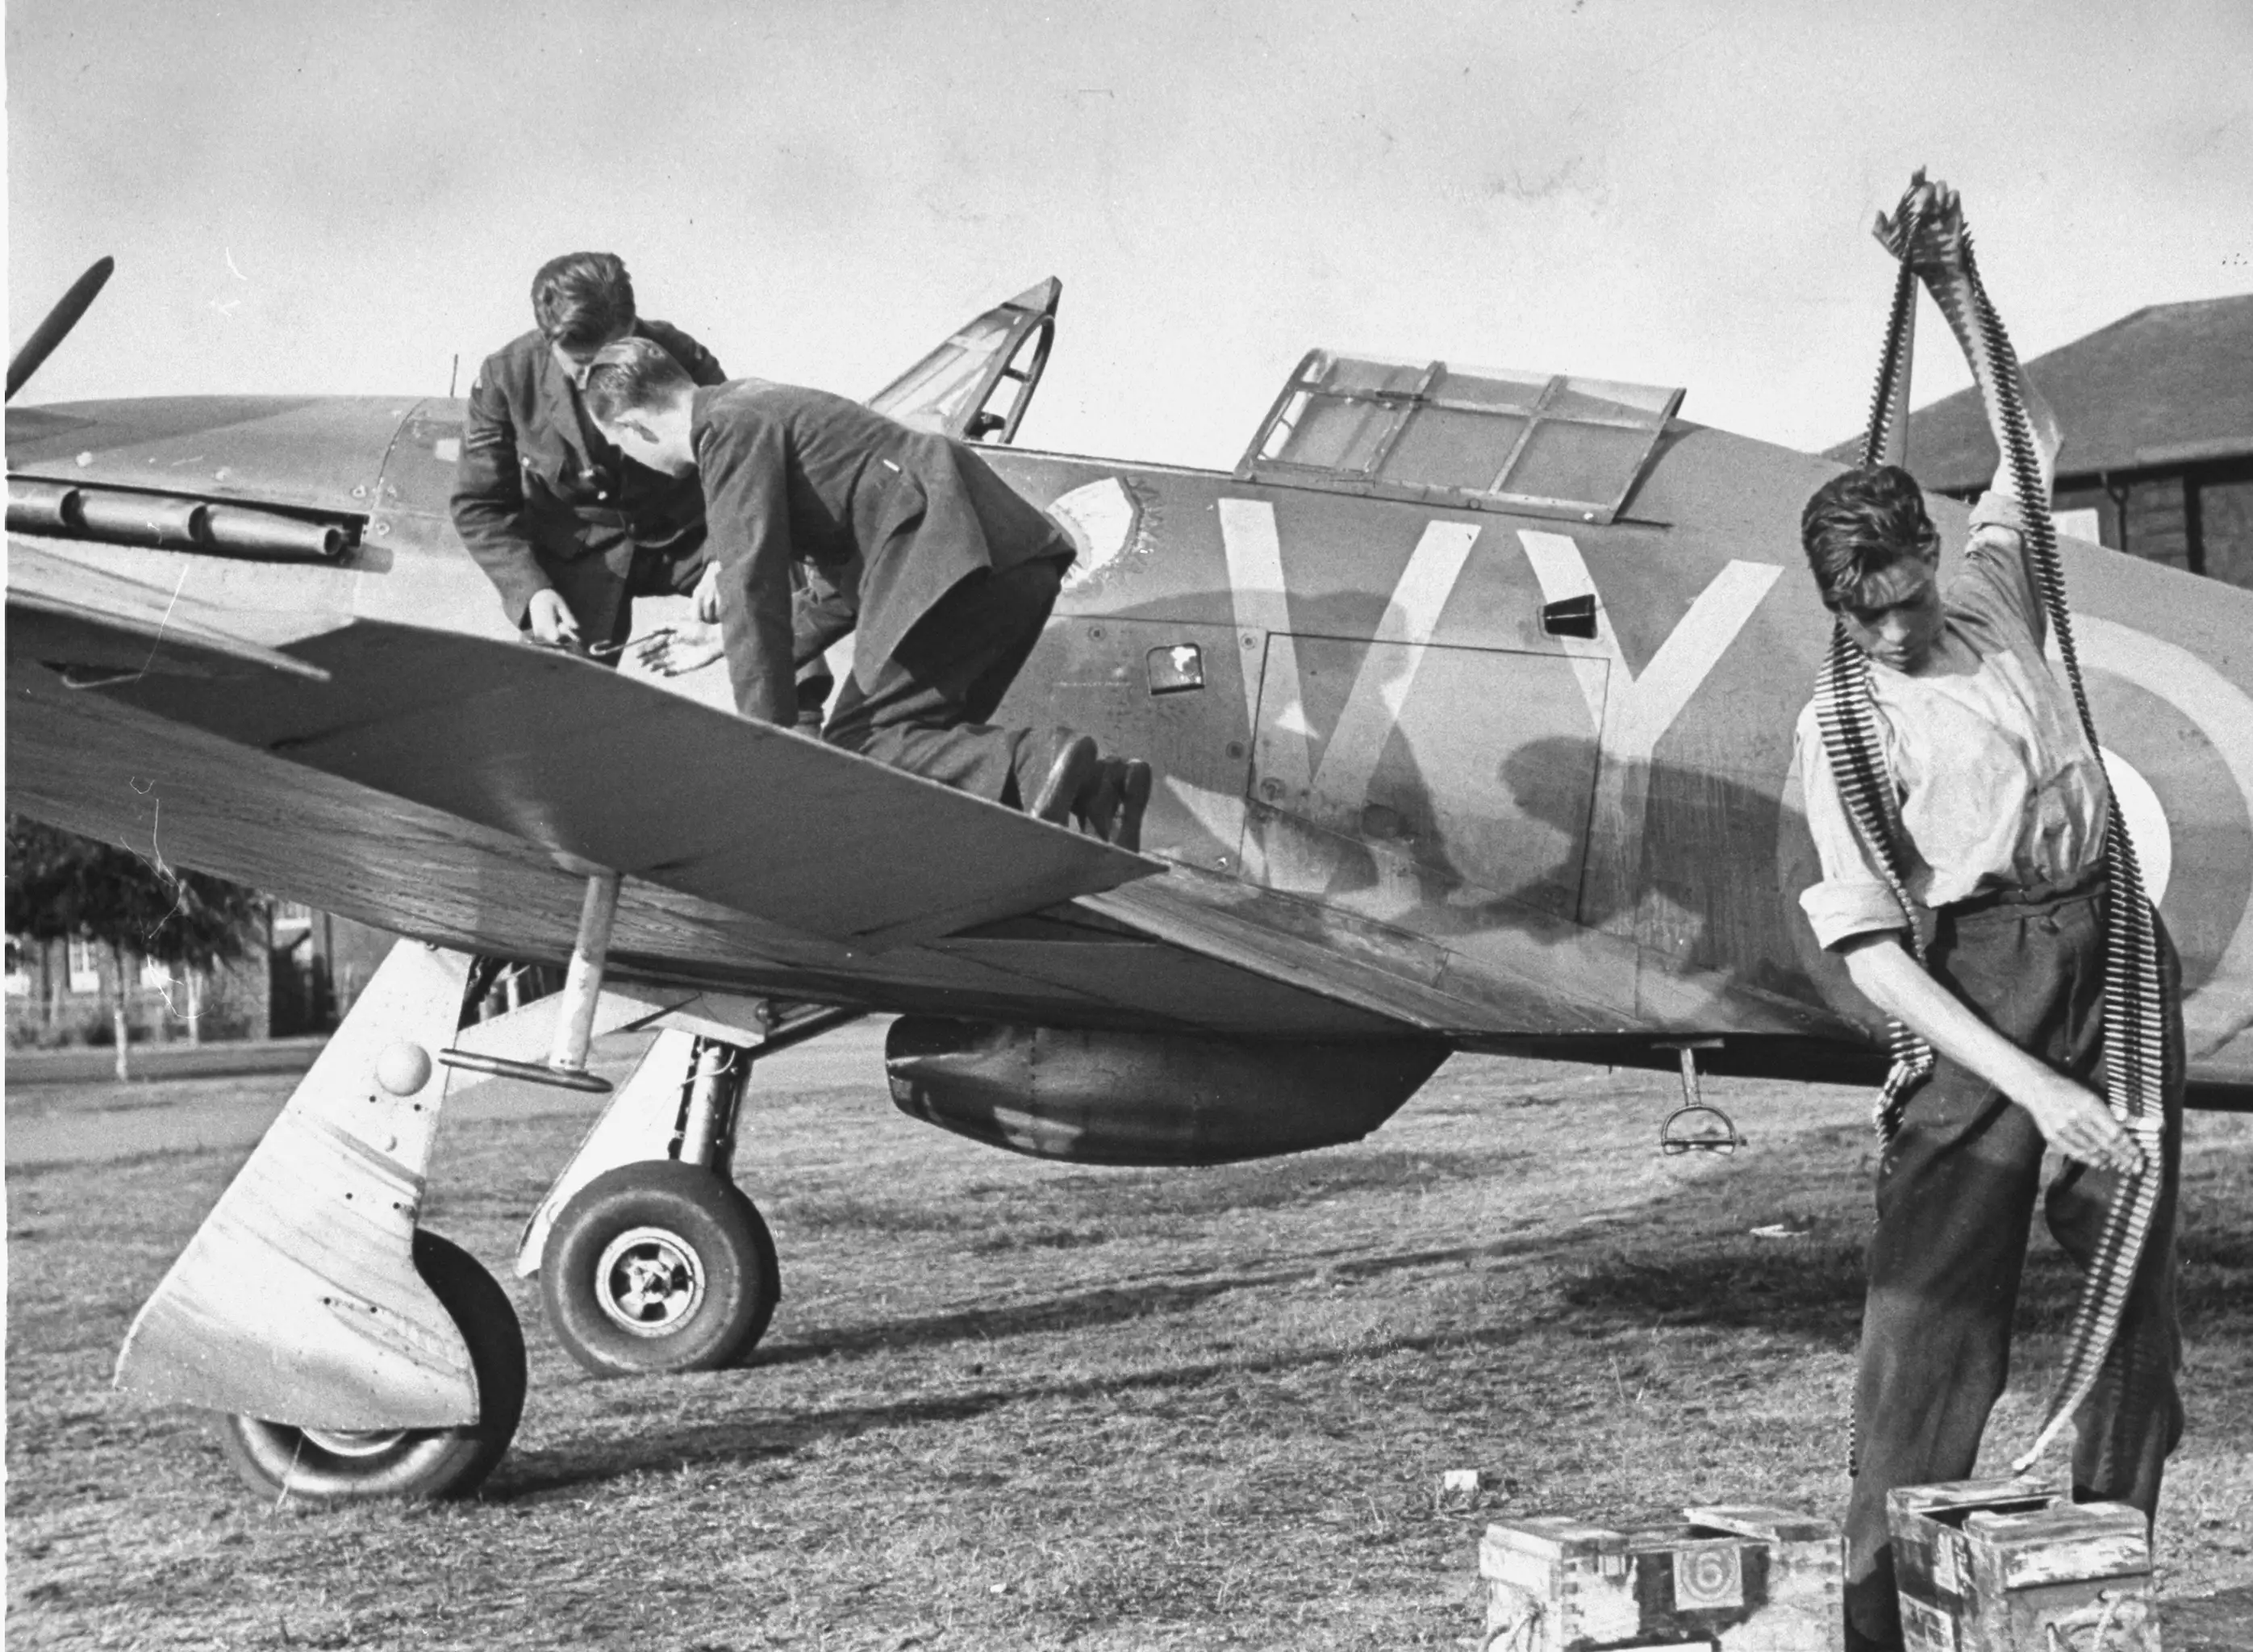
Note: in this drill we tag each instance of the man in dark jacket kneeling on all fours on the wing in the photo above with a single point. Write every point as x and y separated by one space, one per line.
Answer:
909 540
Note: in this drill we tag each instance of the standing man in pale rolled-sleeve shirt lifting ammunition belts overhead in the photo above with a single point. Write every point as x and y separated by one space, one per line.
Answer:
2002 840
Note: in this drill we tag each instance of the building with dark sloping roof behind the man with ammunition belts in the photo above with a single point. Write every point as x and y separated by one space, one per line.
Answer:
2160 436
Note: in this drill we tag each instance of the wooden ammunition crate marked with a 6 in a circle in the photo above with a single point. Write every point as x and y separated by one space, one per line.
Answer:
1740 1579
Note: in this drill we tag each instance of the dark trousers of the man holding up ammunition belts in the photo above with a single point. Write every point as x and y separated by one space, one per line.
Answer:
1954 1205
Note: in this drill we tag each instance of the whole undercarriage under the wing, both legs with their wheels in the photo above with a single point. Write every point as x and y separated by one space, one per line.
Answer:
348 1353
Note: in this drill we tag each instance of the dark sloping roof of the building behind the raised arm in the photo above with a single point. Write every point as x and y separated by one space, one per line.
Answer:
2166 387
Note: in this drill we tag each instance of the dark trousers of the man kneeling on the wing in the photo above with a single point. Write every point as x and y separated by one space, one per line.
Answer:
927 707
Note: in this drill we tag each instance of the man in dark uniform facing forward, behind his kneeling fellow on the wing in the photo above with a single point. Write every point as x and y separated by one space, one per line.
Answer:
558 517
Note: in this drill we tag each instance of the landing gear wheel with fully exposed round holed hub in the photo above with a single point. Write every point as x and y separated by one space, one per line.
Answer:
659 1268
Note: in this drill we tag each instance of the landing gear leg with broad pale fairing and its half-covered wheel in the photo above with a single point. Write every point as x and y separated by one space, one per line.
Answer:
348 1353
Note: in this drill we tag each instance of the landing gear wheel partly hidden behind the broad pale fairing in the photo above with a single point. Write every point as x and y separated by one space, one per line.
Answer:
350 1466
